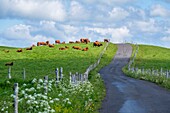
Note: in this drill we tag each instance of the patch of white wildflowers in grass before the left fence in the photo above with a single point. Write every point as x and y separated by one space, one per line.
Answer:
60 97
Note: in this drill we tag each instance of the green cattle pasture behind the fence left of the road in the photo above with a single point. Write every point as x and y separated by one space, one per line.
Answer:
43 60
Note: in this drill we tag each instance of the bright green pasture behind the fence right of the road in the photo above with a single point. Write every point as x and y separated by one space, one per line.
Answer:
153 57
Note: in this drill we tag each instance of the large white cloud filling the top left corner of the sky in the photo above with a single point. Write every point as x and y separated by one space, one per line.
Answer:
33 9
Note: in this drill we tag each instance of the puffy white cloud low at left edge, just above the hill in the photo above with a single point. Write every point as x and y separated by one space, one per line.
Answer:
21 35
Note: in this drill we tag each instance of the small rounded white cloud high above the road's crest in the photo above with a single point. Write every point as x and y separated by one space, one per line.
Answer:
118 13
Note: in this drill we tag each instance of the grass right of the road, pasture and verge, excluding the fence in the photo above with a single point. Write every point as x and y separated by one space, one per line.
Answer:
151 57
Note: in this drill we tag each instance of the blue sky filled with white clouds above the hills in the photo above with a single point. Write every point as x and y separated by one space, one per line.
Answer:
25 22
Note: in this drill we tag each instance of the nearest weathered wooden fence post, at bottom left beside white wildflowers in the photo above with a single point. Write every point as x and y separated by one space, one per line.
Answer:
15 97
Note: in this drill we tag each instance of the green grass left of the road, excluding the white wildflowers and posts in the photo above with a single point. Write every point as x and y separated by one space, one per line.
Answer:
43 60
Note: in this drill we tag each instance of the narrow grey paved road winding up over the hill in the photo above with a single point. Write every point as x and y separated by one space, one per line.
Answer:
128 95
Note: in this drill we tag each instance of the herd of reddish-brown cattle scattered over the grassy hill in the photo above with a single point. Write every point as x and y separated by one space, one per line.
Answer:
47 43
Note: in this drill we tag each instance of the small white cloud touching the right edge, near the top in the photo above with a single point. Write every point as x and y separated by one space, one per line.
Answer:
158 10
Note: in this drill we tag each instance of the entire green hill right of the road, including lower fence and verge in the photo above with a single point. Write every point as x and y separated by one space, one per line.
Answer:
151 63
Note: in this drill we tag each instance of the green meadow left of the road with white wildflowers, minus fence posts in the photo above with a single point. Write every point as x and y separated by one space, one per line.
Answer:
42 61
